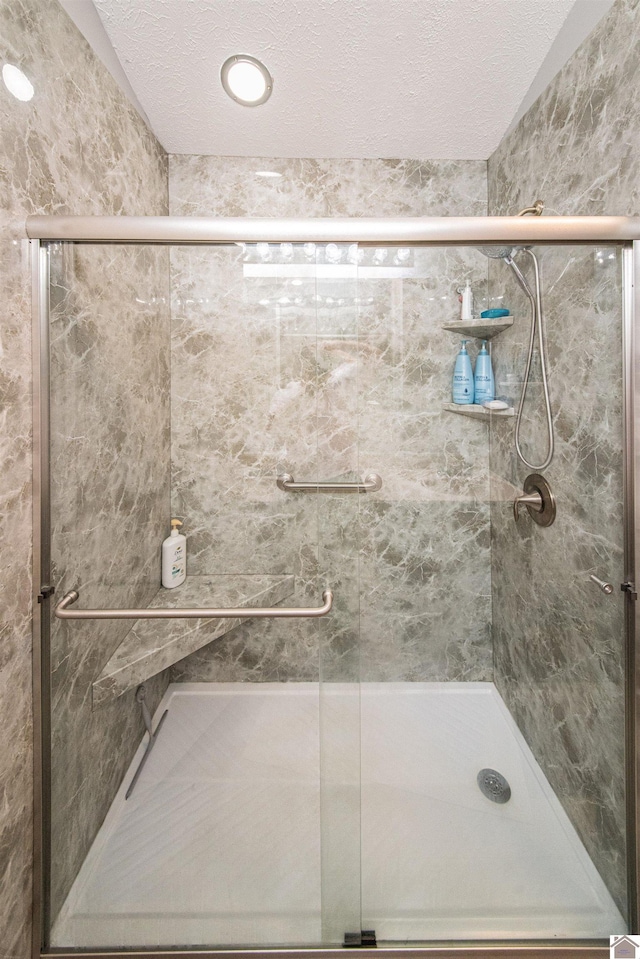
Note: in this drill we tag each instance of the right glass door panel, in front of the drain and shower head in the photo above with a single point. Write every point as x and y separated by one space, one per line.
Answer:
491 663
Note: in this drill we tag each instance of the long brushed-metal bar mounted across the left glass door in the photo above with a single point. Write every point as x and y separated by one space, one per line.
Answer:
240 612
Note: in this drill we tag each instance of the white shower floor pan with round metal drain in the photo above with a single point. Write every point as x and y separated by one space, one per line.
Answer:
220 842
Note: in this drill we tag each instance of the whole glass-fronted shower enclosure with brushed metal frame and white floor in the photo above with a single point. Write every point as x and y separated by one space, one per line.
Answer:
388 709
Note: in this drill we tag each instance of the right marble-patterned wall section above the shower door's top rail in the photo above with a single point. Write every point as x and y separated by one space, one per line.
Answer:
577 147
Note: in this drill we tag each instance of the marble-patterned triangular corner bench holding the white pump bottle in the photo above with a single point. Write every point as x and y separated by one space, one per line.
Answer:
152 645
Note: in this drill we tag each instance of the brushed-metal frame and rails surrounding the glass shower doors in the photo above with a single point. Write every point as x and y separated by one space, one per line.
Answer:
414 231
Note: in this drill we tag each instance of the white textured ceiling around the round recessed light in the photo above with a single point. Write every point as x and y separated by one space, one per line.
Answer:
434 79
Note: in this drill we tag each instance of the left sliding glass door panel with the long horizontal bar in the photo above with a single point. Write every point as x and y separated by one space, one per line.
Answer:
184 383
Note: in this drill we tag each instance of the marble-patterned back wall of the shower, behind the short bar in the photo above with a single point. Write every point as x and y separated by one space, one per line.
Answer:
331 377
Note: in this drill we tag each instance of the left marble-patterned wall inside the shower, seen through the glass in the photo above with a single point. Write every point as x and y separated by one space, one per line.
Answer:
110 510
